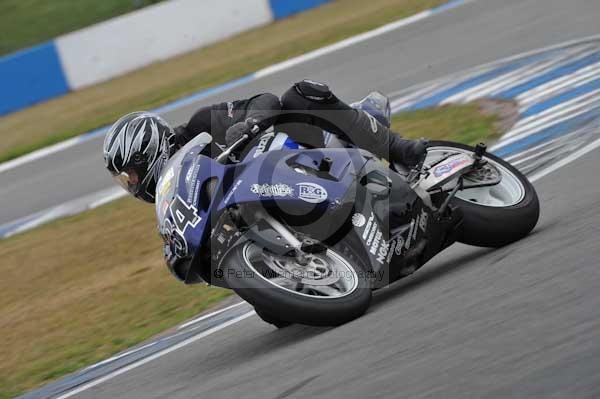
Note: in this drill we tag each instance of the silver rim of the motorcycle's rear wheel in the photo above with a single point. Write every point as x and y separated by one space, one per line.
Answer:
510 191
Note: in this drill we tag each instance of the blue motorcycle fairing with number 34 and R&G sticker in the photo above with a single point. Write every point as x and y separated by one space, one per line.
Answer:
300 186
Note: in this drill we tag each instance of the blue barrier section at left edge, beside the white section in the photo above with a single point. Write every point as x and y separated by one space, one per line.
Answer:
30 76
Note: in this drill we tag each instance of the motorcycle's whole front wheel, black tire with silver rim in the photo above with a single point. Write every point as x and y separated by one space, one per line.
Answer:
259 277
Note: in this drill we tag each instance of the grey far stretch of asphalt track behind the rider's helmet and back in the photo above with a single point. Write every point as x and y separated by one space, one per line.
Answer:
475 33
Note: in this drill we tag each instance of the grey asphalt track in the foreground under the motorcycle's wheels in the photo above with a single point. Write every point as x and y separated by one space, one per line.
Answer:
521 321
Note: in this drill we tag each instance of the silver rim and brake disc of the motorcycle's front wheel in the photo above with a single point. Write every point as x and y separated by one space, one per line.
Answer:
325 275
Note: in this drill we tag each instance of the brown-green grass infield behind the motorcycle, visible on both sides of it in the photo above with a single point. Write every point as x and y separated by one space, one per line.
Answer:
80 289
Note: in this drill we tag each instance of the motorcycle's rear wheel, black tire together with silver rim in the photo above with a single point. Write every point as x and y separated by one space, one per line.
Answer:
494 224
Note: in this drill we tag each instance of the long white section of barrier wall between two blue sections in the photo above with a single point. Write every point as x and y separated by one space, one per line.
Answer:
155 33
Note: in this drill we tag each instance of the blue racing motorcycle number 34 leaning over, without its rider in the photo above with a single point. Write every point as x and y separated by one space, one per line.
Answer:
306 235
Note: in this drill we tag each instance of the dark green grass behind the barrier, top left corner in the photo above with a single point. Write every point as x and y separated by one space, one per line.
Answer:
24 23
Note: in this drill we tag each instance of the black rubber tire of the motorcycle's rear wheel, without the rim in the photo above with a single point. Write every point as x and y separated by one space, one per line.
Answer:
485 226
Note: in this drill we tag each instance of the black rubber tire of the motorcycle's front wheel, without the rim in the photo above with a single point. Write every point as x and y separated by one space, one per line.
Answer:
282 305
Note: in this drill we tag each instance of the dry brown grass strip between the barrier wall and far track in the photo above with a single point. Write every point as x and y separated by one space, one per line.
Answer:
84 110
